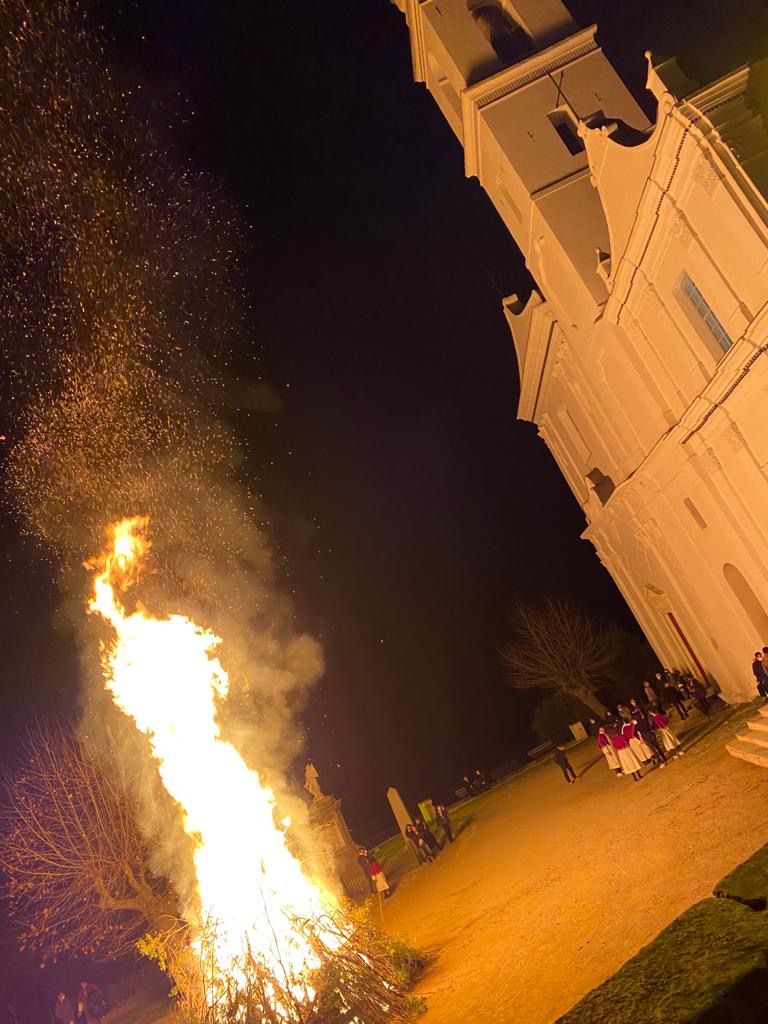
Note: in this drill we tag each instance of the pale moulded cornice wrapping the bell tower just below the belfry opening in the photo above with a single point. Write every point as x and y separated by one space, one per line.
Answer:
496 88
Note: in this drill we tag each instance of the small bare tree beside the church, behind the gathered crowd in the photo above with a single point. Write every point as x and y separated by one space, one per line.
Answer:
559 650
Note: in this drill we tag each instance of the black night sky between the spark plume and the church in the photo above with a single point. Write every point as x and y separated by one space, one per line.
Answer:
409 506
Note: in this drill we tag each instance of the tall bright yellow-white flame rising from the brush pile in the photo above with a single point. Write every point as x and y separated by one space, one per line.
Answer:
164 673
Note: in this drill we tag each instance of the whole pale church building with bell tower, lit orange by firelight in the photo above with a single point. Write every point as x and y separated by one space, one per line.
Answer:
644 350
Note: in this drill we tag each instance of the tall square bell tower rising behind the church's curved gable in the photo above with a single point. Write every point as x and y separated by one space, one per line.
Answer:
517 80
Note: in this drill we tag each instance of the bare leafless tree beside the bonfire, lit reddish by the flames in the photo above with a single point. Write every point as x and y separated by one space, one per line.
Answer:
74 861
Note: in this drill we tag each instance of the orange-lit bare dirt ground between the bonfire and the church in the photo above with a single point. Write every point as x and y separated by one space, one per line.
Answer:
550 888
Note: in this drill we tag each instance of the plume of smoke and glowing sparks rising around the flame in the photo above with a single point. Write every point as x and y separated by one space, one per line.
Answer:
119 293
